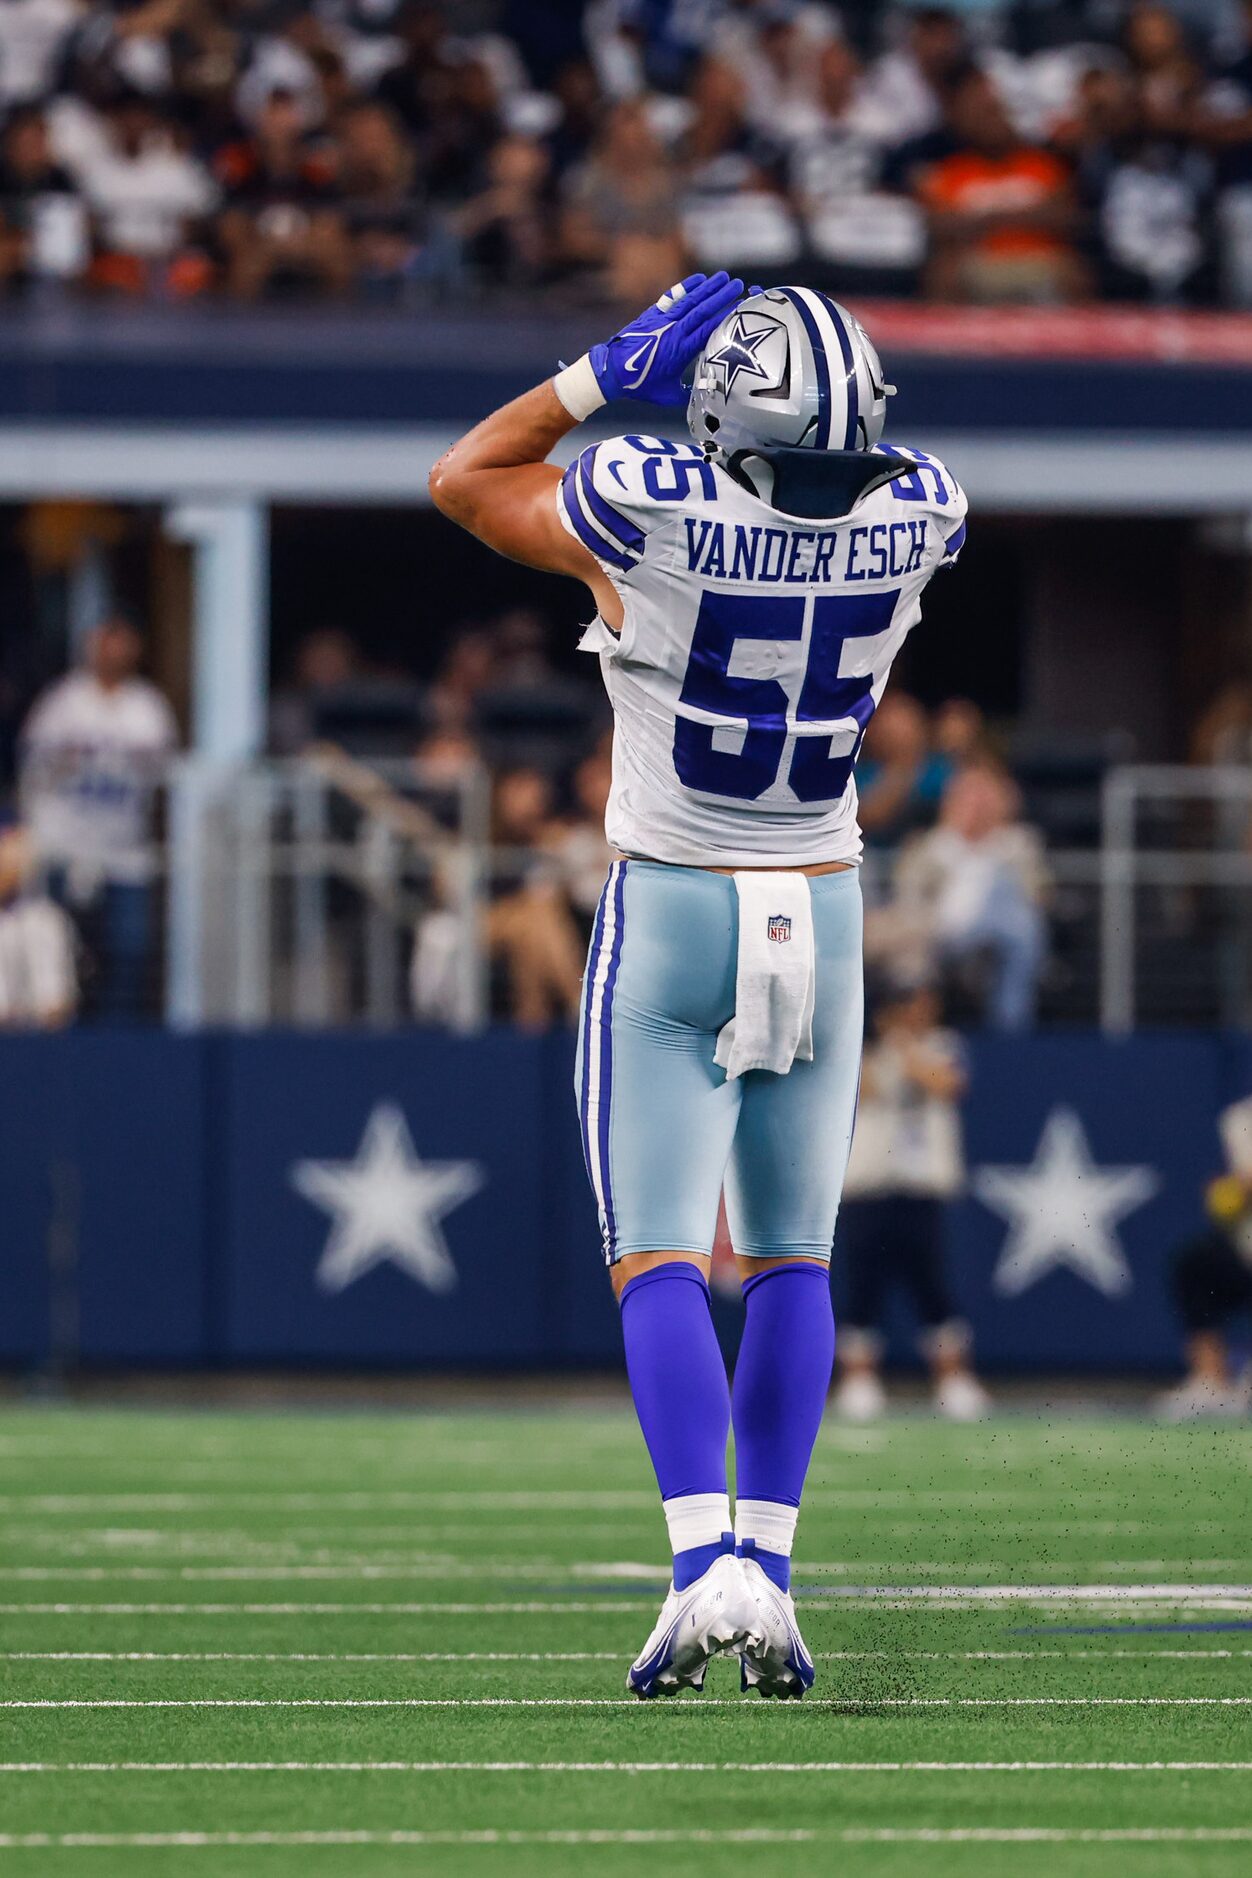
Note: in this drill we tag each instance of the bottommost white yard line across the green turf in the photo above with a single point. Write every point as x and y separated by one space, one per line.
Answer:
851 1836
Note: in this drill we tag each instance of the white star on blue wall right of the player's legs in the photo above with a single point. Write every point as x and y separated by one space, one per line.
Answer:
1061 1212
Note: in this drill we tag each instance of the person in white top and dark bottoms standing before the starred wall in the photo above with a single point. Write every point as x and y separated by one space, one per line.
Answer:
906 1169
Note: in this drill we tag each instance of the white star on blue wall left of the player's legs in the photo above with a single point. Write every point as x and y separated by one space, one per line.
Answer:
388 1207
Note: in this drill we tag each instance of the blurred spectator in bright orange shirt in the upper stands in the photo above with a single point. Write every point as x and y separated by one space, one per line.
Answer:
1001 211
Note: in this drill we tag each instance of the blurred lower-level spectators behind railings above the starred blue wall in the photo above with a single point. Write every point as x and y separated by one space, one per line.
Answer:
506 760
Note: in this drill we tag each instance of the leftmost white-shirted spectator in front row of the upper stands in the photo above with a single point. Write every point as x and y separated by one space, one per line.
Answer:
149 198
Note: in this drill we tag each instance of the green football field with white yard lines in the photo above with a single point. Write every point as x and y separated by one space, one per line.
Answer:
335 1644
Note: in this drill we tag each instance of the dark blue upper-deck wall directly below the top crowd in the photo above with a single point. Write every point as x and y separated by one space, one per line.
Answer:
142 367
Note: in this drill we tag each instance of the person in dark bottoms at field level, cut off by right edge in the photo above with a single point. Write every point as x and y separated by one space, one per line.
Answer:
1212 1284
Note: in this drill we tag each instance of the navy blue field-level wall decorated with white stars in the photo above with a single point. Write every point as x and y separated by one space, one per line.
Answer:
151 1201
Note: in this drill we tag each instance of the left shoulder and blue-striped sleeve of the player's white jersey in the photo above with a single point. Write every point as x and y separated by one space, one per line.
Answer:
618 491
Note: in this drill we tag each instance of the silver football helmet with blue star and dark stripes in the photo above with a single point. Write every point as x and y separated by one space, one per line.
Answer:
789 367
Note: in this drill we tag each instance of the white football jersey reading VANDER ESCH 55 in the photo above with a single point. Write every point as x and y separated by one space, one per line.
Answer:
754 651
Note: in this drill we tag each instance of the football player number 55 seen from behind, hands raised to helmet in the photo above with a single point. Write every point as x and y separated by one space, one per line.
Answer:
752 591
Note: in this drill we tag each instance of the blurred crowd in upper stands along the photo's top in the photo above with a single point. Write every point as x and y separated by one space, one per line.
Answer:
1039 151
